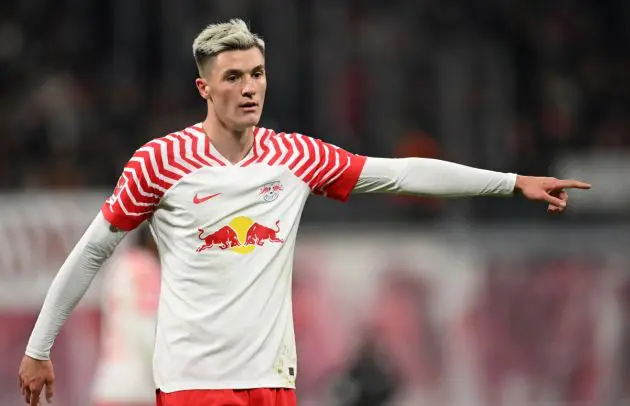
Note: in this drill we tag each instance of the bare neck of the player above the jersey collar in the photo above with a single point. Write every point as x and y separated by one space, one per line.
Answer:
232 145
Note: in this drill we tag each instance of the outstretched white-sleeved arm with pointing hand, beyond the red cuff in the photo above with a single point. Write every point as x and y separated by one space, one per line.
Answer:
433 177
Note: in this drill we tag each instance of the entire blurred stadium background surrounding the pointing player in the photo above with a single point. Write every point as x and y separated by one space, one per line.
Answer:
398 301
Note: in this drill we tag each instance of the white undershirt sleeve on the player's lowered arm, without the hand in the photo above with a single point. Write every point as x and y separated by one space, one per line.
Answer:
71 283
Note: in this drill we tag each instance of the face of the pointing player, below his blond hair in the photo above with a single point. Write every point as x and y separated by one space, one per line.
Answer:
234 83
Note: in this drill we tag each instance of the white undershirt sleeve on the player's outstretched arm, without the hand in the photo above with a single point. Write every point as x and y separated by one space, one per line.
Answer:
431 177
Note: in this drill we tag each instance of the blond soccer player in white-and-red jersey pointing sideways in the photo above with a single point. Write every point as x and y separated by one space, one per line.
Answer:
223 198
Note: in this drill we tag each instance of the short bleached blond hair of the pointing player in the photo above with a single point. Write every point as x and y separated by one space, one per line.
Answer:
221 37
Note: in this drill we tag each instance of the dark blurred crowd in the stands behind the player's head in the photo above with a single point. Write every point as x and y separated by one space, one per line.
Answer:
504 84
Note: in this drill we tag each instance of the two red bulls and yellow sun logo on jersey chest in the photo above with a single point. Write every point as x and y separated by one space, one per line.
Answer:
241 235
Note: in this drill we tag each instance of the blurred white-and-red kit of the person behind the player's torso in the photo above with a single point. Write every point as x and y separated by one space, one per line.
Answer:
130 297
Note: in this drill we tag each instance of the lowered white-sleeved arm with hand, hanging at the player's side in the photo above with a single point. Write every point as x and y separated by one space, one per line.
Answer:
67 289
